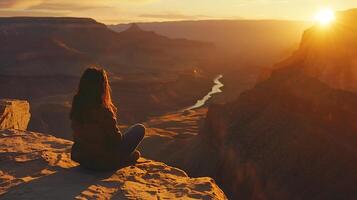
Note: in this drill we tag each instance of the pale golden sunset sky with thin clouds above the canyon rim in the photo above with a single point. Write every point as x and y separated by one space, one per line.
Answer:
127 11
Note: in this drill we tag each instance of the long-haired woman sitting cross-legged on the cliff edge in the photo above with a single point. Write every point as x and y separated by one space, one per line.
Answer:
98 143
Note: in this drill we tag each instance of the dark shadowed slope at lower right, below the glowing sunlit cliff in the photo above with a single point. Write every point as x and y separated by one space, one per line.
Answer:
292 136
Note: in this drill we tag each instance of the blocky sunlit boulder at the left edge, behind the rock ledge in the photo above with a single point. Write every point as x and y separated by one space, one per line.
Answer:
14 114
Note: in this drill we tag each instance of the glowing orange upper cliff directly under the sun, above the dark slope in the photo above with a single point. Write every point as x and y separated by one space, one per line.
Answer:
329 53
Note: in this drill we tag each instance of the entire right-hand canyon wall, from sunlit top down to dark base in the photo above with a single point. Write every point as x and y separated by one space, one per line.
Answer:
292 136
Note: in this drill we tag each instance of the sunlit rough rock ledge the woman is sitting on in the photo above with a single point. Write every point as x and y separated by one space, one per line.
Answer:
38 166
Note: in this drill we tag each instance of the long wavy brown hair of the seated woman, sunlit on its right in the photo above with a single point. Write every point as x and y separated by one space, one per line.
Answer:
93 91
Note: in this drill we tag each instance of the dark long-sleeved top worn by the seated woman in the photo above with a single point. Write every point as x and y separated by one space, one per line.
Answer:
97 141
